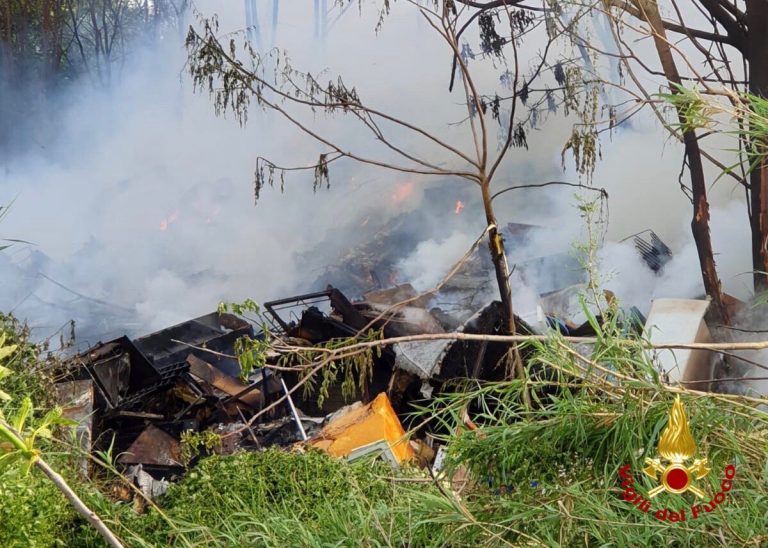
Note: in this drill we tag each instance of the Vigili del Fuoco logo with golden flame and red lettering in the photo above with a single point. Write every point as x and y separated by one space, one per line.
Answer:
676 471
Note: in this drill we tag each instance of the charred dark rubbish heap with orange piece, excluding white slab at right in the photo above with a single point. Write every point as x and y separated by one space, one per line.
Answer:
153 400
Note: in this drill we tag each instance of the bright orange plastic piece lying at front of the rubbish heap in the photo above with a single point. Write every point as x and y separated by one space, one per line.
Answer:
362 426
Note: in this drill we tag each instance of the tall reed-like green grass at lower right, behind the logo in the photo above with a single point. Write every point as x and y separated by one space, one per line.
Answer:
559 464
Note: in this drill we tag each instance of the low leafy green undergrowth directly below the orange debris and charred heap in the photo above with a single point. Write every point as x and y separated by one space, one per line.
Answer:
278 498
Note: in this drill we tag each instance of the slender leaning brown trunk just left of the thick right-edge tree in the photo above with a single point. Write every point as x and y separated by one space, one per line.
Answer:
700 220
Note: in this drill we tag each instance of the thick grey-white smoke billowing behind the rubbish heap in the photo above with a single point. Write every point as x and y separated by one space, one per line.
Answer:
146 200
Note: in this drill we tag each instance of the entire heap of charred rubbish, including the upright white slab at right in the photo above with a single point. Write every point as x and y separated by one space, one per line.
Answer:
146 398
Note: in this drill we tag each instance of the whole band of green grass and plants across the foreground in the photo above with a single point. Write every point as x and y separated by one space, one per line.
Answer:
543 476
